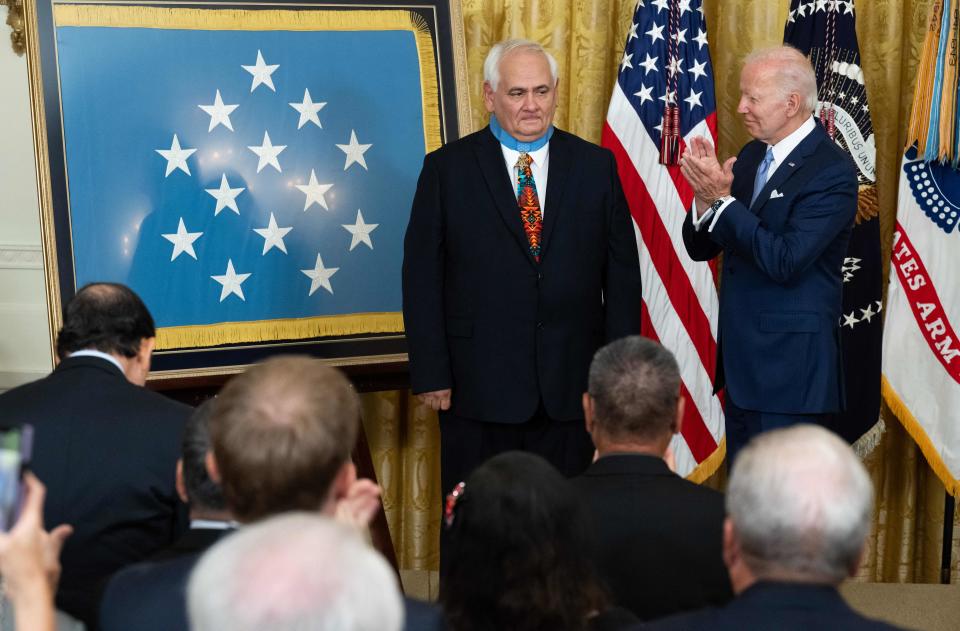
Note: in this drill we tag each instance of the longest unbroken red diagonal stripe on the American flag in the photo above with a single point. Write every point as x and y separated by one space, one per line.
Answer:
665 258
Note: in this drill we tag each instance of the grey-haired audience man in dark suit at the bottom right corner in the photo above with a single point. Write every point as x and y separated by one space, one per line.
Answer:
799 505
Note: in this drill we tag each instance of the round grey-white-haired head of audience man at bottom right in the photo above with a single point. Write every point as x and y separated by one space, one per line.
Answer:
798 504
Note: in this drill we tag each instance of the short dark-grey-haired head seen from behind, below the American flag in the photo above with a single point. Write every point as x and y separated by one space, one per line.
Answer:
633 398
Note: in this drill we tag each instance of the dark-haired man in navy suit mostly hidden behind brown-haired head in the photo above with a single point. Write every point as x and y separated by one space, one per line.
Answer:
151 595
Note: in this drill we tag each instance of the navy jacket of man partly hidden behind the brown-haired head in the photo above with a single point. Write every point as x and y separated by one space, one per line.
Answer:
152 595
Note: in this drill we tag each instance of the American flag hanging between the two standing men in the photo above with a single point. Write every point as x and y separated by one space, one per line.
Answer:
666 63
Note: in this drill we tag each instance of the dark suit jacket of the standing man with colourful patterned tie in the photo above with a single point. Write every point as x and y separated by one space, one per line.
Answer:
481 315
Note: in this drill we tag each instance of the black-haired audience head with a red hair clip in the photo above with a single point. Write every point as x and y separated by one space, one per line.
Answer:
519 542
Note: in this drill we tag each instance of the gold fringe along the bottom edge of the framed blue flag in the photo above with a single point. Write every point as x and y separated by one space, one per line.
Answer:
206 335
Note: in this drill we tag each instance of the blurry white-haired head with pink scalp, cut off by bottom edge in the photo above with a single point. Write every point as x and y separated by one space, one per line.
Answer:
293 572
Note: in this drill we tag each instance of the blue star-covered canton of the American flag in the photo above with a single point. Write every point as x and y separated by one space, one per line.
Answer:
647 64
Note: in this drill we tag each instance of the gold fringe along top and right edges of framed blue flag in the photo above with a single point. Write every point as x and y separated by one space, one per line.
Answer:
277 20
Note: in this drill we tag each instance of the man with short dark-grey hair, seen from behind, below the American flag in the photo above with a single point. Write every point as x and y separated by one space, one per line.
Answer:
658 536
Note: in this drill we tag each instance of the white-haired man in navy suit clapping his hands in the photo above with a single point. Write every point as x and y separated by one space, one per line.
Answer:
781 213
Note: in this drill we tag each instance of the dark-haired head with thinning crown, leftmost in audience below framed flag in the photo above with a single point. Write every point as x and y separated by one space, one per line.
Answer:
107 317
